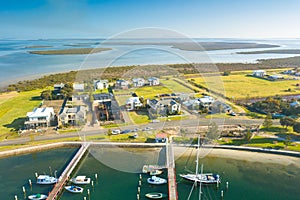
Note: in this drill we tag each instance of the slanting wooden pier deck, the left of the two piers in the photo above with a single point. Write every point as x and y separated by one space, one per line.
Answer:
59 186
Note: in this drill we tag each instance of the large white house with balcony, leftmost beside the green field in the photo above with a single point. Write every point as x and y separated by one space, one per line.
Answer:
40 117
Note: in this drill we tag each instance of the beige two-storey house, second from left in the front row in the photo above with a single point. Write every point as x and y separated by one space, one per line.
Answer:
73 116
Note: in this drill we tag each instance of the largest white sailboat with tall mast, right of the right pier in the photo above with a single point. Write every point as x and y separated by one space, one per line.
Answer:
202 178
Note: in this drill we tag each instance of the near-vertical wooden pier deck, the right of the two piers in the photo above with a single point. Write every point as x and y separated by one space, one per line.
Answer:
172 185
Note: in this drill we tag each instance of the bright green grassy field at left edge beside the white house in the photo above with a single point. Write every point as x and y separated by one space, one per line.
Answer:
13 111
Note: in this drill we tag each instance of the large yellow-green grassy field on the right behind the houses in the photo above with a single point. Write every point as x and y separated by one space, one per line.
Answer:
239 86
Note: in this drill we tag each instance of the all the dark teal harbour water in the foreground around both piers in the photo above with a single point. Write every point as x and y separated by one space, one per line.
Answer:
247 180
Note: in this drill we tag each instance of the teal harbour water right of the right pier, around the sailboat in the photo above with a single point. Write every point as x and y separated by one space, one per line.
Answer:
247 180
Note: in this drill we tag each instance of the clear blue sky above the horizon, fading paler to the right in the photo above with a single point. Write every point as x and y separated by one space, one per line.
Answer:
41 19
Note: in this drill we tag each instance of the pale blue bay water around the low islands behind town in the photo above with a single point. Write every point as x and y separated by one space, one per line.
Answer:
16 63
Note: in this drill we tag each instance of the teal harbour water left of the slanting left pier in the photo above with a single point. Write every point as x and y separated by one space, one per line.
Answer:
17 170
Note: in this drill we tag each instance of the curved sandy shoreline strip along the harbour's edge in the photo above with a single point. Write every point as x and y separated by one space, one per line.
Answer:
248 154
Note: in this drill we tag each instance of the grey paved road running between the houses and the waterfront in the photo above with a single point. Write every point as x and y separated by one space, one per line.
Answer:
190 123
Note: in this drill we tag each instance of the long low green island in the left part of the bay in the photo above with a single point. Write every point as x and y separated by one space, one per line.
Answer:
70 51
